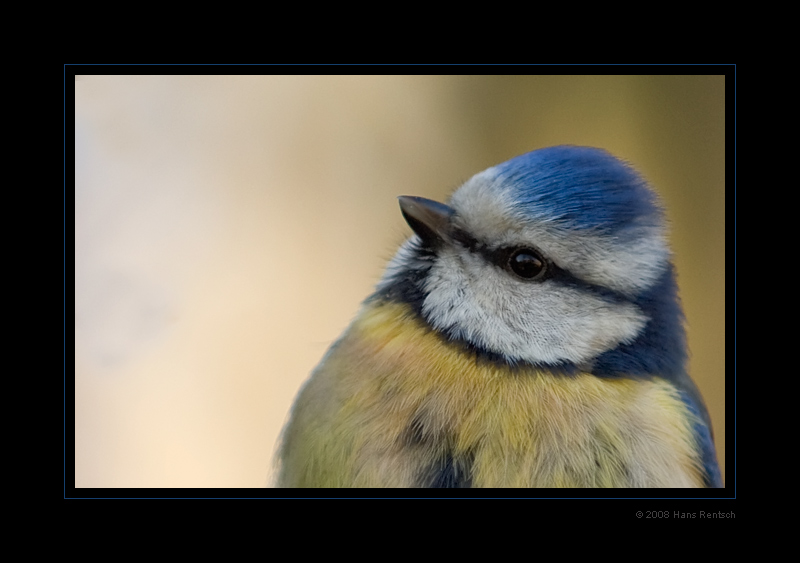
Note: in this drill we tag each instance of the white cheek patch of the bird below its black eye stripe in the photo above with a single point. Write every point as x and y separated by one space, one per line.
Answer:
535 322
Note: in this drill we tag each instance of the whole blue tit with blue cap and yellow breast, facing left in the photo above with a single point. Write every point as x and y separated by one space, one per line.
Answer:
528 334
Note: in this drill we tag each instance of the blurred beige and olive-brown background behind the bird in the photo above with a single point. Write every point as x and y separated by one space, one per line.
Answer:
227 229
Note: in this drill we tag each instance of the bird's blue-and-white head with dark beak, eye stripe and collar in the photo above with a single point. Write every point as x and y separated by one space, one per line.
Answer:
556 258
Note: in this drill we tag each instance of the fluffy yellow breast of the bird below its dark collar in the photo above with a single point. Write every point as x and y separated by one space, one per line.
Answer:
392 401
